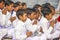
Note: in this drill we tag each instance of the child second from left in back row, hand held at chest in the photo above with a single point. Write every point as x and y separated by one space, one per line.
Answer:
7 16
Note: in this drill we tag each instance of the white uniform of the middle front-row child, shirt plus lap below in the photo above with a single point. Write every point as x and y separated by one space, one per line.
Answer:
33 29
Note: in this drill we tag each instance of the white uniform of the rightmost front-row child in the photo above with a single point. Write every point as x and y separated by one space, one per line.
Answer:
44 23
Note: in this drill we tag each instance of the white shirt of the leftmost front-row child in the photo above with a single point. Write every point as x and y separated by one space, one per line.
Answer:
20 30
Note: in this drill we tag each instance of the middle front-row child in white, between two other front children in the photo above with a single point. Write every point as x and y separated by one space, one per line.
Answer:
31 25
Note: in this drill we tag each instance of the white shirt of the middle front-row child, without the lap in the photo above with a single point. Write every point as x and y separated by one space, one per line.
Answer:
30 26
